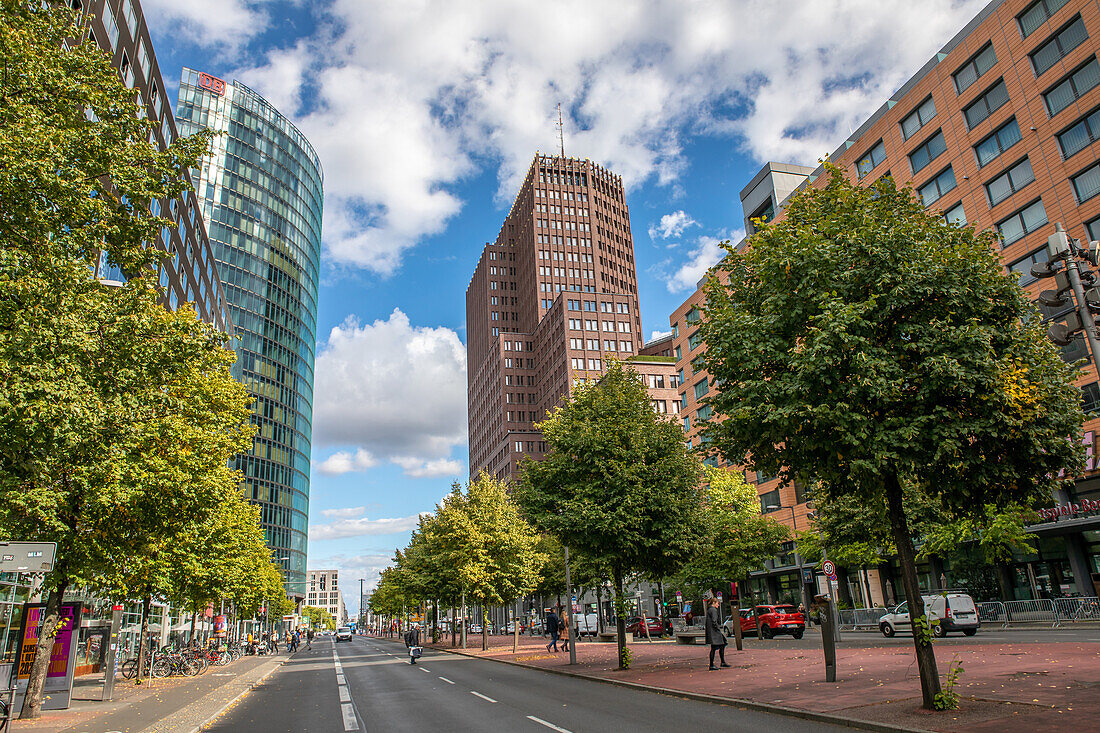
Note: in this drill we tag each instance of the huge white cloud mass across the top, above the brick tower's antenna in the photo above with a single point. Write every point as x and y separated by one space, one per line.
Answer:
412 96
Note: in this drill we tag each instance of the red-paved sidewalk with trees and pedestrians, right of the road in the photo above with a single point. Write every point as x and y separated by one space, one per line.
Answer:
1033 687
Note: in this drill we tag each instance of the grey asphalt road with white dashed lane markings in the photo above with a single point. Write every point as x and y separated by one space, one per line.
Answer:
369 685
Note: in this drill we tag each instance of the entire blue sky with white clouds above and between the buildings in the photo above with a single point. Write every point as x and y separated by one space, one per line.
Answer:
426 114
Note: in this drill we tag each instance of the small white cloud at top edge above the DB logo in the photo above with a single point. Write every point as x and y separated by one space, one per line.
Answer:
207 23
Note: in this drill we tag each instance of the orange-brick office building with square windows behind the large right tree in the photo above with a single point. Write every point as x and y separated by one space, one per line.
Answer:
998 130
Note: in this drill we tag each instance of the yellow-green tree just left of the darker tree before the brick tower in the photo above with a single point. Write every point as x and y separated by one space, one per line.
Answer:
492 549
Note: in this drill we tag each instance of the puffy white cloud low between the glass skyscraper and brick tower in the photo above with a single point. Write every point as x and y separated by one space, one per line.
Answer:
392 390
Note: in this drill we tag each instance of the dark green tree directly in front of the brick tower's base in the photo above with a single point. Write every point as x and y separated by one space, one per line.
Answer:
619 484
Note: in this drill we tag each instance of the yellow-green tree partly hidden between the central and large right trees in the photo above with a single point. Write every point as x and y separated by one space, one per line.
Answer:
736 538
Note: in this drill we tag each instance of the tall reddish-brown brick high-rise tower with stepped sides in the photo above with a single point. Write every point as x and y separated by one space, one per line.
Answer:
551 301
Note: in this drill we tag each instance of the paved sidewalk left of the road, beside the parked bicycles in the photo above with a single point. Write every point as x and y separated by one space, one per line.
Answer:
182 705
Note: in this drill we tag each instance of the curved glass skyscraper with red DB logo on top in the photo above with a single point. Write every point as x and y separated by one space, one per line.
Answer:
260 192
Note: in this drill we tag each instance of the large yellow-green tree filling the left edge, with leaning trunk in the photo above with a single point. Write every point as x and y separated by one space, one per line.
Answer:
97 380
